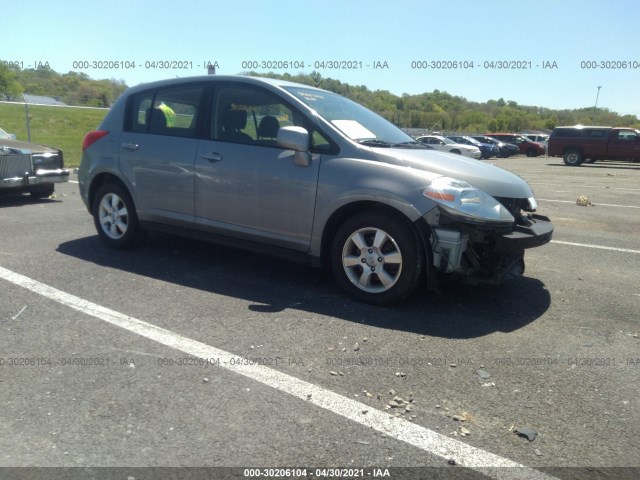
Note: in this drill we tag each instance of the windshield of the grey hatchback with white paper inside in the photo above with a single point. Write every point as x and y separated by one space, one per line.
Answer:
352 119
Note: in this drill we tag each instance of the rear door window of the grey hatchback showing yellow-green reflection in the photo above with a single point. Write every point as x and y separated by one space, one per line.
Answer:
172 111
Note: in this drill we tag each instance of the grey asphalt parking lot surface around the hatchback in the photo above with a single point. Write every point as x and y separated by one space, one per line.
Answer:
186 354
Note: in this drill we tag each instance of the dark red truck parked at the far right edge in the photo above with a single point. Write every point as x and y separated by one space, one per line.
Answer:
581 144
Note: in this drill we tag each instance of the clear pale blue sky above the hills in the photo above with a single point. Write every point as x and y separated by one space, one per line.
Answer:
562 50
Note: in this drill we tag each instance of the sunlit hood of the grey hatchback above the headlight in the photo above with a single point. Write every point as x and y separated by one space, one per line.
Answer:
488 178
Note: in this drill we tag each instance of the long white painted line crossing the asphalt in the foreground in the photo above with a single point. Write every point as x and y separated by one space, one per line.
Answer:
403 430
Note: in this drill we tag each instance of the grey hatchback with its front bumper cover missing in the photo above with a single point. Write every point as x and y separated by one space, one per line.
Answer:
287 169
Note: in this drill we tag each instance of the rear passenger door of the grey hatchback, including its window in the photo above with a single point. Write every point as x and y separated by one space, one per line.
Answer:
157 152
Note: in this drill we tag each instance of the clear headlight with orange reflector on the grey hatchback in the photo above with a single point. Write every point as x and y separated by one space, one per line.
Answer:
462 200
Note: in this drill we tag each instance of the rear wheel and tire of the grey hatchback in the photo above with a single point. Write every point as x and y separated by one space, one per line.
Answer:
114 216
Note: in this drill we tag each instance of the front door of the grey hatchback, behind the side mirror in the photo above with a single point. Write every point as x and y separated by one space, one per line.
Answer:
246 185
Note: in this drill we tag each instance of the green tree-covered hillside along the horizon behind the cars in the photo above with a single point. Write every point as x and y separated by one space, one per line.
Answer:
436 110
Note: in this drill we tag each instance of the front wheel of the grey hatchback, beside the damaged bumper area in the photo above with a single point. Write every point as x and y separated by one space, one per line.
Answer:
377 258
